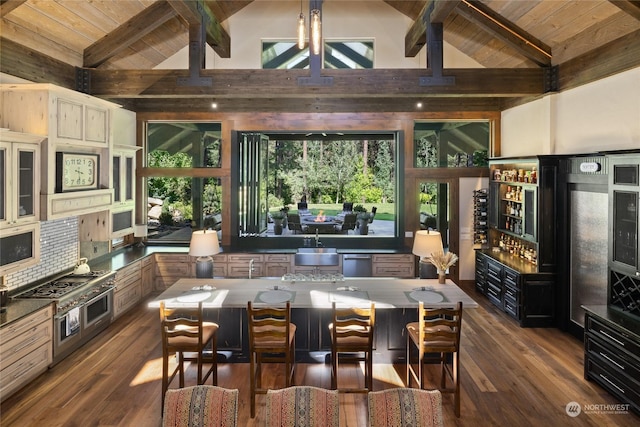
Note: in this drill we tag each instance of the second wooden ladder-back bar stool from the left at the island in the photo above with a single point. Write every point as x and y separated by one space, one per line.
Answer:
271 339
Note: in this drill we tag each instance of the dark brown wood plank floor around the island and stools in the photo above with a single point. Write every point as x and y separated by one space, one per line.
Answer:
510 377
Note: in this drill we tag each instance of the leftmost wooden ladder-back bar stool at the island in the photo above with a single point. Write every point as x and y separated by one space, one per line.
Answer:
184 331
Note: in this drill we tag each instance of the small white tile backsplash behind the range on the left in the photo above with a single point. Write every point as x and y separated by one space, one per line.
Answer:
58 252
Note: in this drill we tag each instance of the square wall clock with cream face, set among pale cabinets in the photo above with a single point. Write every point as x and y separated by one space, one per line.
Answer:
76 171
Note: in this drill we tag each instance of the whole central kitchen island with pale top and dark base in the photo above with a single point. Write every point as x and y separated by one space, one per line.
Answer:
225 302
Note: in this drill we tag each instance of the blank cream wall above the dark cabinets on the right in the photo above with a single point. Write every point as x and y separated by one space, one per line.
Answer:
600 116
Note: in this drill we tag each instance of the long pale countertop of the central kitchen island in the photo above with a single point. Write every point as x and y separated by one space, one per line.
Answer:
385 292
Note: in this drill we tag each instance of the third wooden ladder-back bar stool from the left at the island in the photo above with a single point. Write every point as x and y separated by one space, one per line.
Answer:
352 332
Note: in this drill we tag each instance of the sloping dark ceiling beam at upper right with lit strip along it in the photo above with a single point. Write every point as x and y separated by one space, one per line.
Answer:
504 30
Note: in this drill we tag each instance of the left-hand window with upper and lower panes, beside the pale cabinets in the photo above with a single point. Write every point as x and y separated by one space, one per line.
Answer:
179 199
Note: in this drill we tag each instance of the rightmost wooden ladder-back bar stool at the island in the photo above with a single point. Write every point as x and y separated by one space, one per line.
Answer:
436 335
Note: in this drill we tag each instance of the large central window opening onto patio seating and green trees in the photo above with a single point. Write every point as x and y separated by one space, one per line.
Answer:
336 184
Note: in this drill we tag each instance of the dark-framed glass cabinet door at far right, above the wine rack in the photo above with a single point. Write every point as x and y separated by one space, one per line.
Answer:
625 193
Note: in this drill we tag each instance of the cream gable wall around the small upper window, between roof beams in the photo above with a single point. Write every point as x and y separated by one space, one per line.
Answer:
353 20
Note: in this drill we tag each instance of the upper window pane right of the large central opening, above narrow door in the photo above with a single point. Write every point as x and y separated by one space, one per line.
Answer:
451 144
